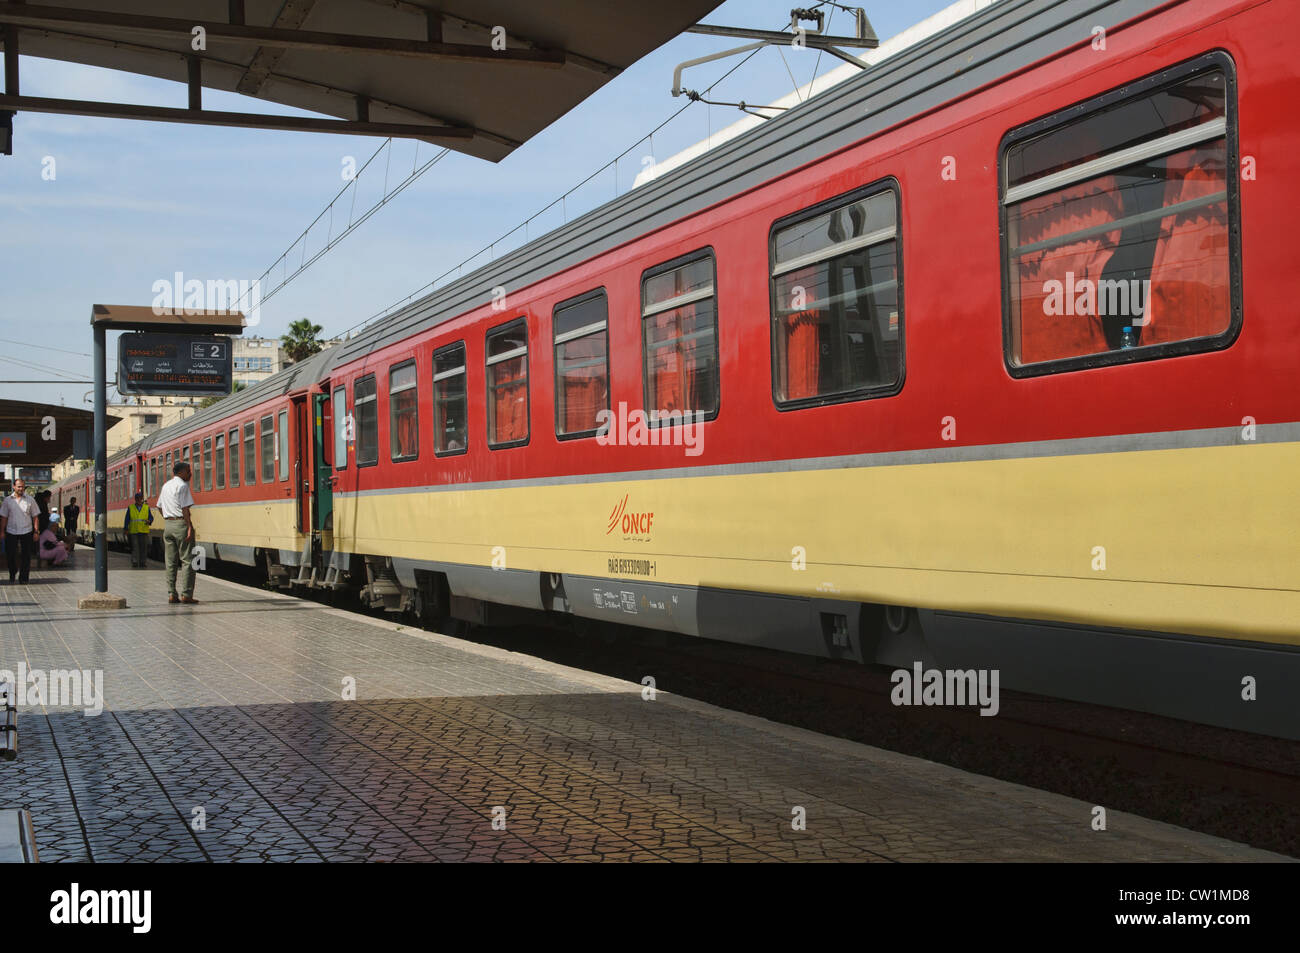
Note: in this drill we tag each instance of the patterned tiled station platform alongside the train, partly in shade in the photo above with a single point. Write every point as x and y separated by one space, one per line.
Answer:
226 737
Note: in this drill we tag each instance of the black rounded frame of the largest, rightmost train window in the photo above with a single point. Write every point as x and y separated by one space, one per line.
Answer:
1215 60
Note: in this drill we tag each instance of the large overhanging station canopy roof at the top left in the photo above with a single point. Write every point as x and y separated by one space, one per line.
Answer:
422 70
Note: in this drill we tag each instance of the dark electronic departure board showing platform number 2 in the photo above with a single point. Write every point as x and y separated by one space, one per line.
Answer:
196 365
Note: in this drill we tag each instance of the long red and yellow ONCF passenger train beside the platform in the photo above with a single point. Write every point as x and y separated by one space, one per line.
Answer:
981 359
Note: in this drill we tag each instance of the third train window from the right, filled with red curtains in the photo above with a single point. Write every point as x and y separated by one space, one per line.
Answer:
679 341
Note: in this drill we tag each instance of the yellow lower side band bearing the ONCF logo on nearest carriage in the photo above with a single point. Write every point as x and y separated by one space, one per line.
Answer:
1203 542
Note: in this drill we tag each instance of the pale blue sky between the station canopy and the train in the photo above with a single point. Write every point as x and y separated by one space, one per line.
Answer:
136 202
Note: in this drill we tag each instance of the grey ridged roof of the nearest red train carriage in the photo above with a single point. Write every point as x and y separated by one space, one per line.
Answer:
978 50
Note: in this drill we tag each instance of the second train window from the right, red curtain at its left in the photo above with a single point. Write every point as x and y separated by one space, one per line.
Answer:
837 301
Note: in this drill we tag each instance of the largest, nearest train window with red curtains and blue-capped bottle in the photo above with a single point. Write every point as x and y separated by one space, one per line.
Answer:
1119 223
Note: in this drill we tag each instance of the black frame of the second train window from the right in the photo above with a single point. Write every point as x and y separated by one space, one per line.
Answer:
887 184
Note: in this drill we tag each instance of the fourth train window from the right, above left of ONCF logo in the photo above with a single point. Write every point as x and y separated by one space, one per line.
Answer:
582 365
